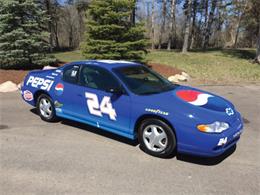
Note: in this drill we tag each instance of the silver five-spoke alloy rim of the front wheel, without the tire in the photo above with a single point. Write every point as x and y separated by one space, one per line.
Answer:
155 138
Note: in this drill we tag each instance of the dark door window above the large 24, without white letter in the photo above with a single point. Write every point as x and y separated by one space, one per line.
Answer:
98 78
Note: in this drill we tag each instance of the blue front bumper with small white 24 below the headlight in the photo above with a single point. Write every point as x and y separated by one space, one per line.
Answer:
210 145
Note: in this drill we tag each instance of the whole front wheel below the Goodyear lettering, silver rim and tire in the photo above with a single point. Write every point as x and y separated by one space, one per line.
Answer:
156 138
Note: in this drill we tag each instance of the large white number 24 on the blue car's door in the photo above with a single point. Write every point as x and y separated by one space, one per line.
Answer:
104 107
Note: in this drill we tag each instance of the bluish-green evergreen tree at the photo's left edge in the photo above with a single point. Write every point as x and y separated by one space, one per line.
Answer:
23 39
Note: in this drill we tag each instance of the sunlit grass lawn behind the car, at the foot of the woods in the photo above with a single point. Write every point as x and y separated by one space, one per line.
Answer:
213 66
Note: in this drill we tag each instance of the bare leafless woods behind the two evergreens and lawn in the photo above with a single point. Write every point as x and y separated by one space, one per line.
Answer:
169 24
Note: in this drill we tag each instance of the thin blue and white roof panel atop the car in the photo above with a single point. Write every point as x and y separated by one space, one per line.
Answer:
108 64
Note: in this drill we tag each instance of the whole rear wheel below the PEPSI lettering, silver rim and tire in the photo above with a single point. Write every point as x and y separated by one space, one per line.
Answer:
45 108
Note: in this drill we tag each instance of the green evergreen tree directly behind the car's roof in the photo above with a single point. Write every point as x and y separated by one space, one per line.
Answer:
111 34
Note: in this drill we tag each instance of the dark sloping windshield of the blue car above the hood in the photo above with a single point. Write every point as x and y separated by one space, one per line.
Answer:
142 80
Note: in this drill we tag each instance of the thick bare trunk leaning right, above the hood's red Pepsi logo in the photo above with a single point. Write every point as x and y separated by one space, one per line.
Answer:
187 27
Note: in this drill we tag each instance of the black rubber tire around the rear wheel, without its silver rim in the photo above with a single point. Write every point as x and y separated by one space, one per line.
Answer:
52 116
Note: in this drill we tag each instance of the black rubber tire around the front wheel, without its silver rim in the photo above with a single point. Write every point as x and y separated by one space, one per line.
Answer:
170 144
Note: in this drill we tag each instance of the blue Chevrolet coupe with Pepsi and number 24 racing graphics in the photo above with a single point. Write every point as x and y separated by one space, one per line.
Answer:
131 100
